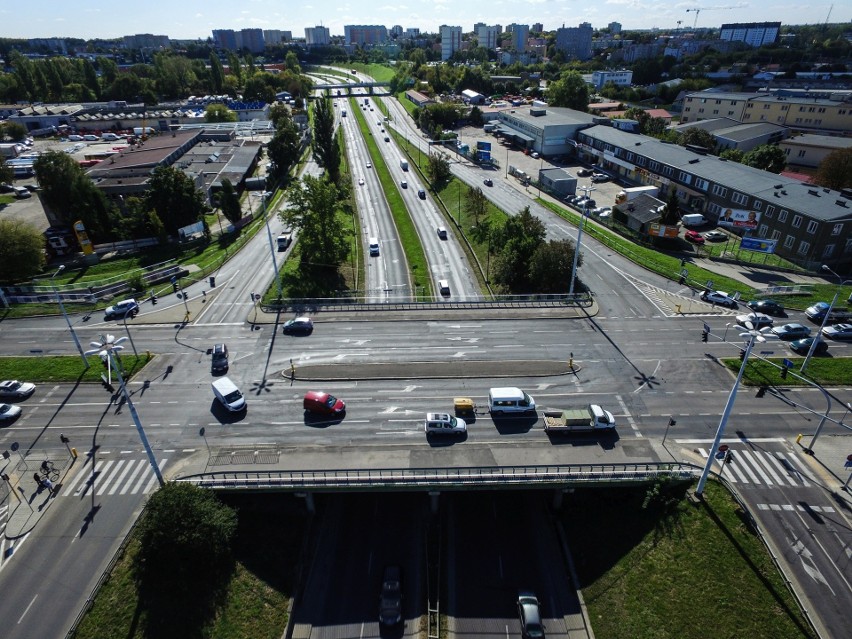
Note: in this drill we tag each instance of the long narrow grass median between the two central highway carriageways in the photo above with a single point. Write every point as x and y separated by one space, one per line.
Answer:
410 241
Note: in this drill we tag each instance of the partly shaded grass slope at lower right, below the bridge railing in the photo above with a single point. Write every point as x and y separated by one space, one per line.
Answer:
675 569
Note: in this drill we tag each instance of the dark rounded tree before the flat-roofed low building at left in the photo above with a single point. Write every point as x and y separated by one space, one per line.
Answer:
174 197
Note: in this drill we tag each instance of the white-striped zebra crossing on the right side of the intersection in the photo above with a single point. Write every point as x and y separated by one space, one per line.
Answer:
749 466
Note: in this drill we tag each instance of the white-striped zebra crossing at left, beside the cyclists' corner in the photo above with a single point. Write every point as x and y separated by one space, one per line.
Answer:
114 477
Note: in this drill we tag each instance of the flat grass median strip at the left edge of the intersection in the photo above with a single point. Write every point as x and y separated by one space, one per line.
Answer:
68 368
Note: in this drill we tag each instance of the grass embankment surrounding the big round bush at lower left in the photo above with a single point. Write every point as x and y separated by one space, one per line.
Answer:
267 552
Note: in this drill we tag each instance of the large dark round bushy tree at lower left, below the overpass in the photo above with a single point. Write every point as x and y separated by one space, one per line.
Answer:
185 558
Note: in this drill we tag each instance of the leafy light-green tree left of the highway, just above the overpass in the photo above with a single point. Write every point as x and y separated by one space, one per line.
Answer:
313 209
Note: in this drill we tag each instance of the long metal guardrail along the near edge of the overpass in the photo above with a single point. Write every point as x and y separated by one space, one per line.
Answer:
442 478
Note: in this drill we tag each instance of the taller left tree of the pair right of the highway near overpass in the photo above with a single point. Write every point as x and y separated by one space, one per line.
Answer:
519 238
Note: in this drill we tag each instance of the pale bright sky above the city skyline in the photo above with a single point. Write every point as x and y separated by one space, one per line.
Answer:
196 19
